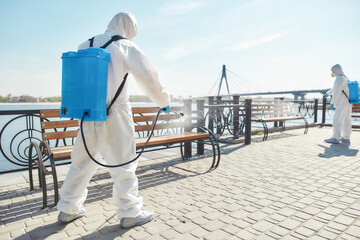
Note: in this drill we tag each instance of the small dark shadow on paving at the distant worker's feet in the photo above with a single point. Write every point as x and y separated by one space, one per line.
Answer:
337 150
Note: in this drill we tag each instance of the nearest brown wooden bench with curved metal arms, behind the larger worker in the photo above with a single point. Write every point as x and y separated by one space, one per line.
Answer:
170 132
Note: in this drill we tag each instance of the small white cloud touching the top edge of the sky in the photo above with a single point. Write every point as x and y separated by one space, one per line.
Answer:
181 7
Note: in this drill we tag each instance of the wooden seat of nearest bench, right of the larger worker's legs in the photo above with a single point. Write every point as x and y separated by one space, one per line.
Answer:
173 138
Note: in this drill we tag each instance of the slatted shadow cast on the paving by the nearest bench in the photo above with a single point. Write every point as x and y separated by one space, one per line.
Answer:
26 204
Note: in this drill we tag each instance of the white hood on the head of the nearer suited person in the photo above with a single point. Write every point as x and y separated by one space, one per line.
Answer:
123 24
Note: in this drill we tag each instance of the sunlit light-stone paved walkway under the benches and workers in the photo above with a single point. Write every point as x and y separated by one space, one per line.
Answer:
293 186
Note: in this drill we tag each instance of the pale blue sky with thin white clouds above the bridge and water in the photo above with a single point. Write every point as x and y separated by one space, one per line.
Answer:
267 45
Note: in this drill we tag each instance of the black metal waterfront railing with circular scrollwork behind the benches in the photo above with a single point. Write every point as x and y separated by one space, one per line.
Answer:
20 127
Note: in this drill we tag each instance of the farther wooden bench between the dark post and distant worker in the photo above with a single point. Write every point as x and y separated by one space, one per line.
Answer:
276 112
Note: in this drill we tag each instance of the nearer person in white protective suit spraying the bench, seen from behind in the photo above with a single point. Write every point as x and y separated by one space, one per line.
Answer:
114 140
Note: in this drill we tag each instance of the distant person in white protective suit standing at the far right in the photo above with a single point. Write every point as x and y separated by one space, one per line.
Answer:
340 102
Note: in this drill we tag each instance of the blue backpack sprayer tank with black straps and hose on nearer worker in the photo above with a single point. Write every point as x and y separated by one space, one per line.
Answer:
84 89
